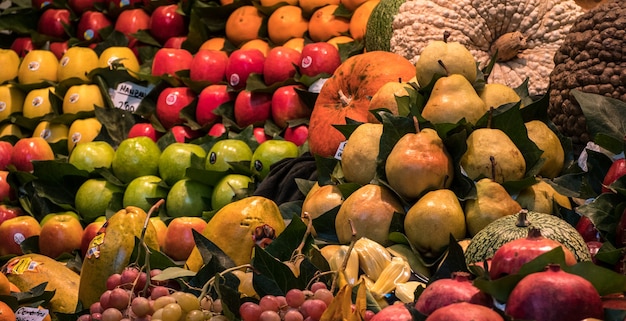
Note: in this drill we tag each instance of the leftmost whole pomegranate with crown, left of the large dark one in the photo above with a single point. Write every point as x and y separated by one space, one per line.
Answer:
442 292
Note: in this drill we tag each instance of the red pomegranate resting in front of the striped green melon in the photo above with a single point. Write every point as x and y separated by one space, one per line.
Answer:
510 257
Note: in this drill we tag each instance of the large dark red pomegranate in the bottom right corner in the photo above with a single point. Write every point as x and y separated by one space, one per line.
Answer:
554 295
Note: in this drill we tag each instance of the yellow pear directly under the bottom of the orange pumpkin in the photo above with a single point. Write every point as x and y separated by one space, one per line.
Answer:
358 160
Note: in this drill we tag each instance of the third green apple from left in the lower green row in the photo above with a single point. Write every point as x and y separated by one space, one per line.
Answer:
188 198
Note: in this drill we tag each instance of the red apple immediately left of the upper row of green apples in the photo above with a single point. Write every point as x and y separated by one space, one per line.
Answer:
30 149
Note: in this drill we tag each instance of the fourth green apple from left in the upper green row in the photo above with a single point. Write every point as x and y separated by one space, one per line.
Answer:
227 151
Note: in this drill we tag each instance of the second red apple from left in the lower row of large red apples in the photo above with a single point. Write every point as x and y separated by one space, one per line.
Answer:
210 98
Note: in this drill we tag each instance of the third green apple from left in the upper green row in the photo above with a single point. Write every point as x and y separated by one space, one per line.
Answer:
176 158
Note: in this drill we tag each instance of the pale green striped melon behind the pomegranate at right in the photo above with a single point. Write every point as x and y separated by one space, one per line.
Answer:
485 243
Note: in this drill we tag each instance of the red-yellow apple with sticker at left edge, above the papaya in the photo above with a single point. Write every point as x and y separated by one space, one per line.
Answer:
14 231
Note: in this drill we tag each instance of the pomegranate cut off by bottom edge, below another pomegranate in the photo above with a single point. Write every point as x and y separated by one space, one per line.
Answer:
465 311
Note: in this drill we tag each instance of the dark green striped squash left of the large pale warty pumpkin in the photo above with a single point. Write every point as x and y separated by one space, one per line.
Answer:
379 28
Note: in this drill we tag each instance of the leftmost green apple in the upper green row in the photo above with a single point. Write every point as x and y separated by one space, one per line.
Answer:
91 155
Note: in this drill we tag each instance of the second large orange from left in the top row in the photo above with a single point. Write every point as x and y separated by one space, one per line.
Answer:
285 23
